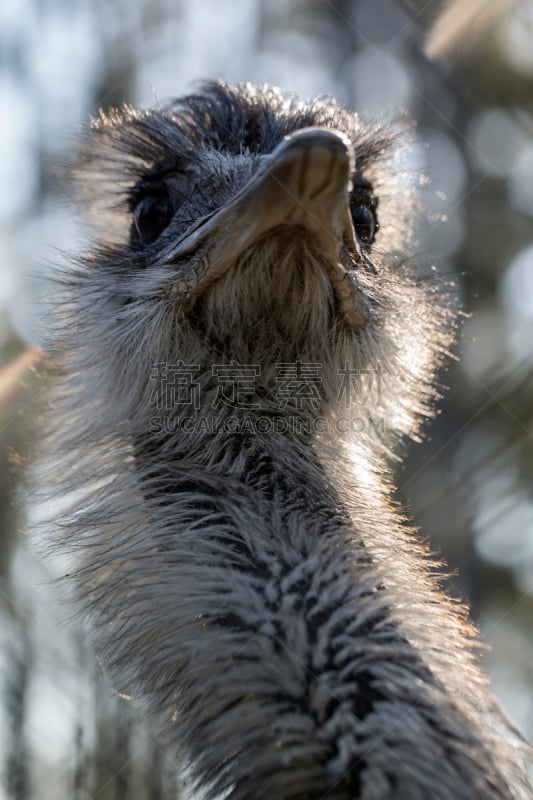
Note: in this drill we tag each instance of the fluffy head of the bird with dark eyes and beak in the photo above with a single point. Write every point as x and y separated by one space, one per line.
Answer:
239 225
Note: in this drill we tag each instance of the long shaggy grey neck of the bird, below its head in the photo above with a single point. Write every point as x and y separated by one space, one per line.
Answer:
284 629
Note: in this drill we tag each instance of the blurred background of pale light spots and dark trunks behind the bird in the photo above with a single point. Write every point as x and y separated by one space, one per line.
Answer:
464 73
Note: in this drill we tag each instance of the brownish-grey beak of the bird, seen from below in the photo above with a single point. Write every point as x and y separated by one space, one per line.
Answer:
303 185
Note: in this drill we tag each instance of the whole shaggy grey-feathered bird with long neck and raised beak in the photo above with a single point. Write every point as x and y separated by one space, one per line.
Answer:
240 352
